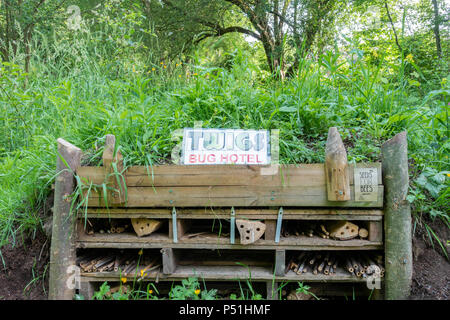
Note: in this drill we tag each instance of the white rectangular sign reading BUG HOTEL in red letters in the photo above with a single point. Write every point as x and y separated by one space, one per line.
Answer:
225 146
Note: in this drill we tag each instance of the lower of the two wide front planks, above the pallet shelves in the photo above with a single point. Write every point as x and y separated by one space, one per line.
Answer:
232 196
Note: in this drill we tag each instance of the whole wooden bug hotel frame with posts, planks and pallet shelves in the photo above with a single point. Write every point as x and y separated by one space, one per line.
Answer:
182 195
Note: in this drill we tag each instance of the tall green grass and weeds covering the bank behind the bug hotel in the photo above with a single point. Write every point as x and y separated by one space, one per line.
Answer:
77 91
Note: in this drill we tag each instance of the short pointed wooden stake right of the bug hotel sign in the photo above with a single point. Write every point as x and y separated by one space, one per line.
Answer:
336 168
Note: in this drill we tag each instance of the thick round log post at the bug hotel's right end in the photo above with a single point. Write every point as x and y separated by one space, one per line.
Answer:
397 214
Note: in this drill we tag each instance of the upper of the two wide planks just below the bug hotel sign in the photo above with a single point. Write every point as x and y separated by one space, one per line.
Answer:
220 175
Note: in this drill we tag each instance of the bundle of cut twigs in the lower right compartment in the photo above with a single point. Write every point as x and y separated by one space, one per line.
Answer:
358 264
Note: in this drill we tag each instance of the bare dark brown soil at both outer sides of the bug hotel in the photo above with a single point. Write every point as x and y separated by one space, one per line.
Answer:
26 274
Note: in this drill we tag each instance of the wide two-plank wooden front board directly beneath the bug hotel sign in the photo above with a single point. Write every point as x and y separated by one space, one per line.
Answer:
188 186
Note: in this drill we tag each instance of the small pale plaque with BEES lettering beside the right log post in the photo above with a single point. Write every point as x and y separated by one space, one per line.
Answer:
366 184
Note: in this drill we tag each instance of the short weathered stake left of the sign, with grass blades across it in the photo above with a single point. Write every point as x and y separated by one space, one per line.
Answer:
108 159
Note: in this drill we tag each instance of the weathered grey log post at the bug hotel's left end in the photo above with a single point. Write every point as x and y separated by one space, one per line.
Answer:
62 252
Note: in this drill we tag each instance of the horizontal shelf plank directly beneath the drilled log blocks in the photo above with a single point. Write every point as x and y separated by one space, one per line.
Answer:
212 241
